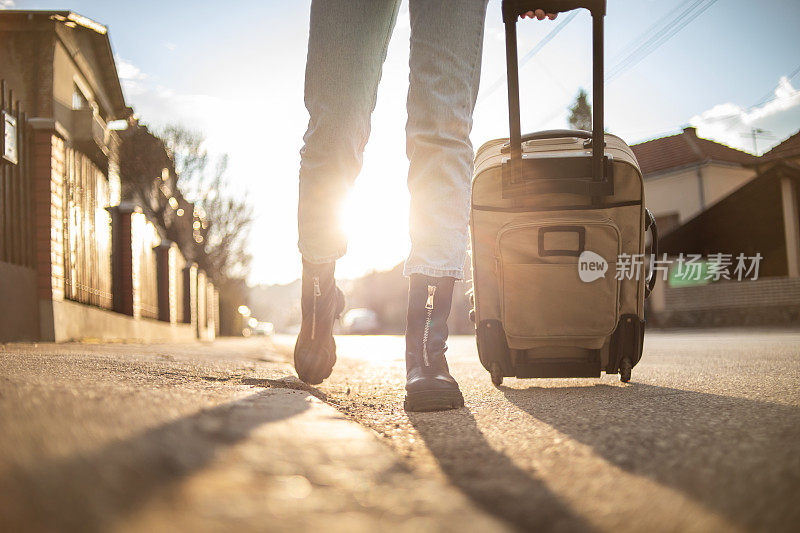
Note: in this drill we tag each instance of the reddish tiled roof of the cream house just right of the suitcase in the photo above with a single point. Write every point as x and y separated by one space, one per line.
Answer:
685 149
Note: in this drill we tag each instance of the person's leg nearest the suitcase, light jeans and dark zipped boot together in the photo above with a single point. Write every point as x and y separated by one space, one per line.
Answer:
446 47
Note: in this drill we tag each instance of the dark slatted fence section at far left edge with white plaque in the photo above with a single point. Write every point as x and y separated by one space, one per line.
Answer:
16 190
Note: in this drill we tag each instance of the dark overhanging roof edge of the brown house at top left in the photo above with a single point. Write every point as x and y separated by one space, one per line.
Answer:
101 44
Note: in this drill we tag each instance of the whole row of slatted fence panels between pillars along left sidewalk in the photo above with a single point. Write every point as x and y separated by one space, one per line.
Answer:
85 223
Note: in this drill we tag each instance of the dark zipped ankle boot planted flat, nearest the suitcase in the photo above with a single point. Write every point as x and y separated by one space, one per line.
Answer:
429 385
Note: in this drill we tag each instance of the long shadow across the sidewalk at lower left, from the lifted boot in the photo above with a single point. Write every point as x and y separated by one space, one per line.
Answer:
89 492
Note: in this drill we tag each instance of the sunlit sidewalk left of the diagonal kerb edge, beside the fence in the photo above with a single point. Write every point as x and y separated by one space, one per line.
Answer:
196 437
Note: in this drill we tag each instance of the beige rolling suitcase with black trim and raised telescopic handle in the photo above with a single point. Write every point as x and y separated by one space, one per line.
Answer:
558 227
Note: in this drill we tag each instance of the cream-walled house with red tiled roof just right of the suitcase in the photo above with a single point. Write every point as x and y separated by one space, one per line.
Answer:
685 174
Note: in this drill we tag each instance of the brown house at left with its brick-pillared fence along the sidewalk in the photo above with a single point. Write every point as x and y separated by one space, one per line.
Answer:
95 265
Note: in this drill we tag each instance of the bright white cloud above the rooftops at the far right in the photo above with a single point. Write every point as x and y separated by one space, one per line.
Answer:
731 124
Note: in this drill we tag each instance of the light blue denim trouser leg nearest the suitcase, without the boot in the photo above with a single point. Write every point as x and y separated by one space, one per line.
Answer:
445 60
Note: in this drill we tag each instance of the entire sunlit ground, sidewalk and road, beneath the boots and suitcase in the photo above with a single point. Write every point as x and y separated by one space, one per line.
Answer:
706 437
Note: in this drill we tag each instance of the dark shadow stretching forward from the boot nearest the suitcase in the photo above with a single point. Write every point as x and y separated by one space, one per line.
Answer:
489 477
